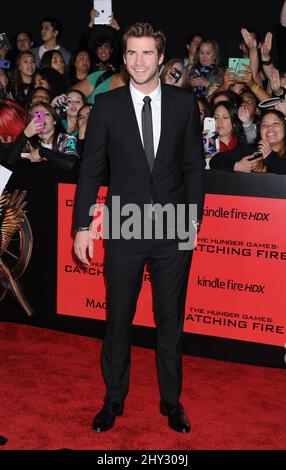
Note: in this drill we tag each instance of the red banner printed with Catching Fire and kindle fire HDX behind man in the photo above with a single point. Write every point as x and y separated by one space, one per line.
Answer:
237 281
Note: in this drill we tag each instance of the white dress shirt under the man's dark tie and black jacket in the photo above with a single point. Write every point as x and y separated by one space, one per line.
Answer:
137 98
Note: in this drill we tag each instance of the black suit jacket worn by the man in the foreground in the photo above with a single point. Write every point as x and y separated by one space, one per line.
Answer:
113 134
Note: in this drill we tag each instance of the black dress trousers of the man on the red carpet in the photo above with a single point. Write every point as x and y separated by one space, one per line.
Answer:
169 268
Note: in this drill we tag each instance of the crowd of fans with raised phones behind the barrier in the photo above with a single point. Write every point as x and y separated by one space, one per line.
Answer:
48 92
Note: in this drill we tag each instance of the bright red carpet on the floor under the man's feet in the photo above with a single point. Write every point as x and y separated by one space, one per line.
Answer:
51 387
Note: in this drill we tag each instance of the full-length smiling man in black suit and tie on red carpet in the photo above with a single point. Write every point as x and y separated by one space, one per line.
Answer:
150 134
